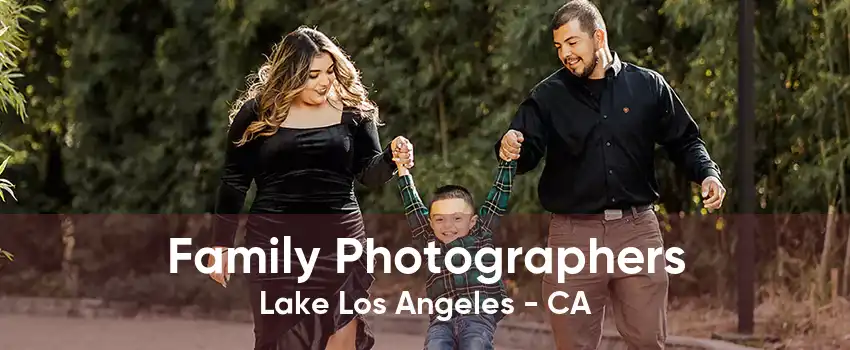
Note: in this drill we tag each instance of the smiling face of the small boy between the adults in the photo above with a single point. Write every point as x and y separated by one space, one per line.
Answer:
451 219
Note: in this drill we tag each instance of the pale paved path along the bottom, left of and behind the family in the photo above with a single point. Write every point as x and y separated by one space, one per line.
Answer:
19 332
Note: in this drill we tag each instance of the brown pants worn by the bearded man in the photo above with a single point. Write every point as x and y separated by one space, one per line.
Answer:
639 299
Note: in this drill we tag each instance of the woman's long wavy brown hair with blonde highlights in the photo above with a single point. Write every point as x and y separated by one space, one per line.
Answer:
279 81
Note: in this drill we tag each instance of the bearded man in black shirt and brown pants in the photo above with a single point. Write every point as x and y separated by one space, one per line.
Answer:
597 121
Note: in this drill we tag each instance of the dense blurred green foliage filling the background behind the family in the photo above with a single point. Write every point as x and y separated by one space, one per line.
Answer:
127 109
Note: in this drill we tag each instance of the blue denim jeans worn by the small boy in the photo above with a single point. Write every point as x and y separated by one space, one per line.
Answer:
464 332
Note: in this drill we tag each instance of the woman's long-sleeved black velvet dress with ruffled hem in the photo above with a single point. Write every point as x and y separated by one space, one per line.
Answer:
305 190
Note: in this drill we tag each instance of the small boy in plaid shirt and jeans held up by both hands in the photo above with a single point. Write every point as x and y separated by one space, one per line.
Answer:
451 220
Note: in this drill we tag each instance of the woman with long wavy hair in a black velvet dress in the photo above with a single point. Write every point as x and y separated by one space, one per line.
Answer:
304 132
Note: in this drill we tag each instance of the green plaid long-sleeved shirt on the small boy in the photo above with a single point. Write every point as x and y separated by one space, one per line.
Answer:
463 286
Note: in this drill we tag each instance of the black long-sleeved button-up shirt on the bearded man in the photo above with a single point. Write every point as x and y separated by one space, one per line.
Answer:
599 138
